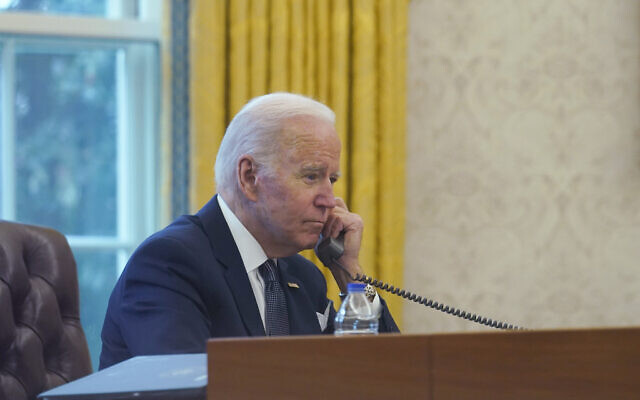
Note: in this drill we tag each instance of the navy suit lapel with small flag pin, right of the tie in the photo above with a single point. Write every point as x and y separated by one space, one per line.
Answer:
302 315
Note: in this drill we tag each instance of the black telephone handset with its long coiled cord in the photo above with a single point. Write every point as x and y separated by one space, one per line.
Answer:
329 250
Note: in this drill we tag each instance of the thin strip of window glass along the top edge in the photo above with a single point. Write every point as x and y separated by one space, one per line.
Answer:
77 7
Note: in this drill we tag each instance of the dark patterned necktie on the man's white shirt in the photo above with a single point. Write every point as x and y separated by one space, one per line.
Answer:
276 315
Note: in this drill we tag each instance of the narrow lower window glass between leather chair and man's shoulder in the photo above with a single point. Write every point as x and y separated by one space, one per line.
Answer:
97 274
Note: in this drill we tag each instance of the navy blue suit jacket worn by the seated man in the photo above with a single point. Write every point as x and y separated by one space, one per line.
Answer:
187 283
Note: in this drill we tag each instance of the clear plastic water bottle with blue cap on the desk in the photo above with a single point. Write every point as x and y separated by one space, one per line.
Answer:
357 315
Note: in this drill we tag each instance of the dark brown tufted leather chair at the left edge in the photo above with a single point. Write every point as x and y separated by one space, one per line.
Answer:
42 344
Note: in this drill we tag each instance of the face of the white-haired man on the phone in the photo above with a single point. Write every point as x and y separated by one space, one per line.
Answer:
295 199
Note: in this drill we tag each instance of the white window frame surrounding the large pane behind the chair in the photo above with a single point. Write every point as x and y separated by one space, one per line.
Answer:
137 121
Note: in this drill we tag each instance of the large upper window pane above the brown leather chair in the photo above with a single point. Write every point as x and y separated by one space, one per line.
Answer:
66 142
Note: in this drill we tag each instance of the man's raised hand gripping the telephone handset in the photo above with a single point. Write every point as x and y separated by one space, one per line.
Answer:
342 220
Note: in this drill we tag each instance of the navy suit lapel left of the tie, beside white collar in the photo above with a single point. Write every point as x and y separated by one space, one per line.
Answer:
226 251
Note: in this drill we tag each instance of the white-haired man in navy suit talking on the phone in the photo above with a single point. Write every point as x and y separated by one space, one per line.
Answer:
233 269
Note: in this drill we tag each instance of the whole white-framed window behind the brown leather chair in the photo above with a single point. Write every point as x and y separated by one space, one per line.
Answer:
78 132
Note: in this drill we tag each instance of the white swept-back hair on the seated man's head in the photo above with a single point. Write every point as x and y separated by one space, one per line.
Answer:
255 130
